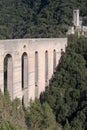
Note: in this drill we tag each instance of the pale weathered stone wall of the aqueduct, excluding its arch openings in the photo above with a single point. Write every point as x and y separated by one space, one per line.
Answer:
16 48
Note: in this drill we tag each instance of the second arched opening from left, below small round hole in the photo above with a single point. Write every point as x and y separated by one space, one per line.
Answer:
24 71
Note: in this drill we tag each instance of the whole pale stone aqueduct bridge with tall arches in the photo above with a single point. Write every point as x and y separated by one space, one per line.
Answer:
26 65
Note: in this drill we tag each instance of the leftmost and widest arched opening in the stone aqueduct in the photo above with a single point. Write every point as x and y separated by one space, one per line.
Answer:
8 74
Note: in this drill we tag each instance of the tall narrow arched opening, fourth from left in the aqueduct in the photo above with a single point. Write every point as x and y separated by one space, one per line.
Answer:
46 68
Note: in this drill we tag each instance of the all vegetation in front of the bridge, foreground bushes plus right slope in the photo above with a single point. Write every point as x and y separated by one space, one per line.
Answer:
63 106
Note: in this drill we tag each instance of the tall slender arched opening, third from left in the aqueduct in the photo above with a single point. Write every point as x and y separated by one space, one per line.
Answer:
36 74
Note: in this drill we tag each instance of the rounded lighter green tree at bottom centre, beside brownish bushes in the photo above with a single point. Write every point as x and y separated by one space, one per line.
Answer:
40 116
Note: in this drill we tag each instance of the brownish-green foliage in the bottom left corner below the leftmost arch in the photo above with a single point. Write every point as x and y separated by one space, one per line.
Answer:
11 114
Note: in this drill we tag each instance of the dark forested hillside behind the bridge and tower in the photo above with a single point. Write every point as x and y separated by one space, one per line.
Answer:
38 18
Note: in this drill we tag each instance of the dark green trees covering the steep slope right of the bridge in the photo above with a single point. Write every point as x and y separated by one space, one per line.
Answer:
67 94
